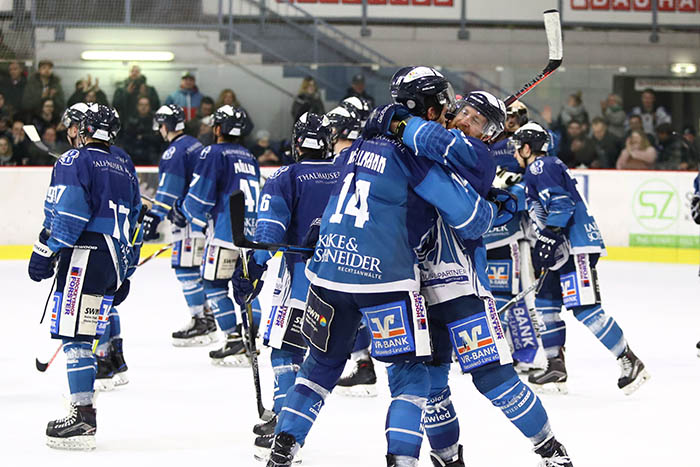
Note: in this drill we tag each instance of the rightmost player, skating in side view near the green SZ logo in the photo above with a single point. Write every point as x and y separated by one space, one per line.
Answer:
568 246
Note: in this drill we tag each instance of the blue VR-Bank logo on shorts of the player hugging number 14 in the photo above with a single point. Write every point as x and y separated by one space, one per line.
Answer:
472 340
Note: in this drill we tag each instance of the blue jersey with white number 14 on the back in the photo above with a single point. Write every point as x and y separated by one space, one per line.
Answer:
375 217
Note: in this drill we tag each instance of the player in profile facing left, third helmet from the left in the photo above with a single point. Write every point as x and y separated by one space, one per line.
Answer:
175 170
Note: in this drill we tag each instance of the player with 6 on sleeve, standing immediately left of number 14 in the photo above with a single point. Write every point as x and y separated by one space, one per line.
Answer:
291 199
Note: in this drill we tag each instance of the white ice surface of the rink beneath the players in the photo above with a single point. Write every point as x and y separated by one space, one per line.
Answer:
179 410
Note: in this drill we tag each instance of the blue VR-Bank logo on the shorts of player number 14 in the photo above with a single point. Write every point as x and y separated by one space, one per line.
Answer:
388 325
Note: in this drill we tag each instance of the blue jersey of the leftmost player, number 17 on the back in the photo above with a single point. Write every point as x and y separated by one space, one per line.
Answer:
94 189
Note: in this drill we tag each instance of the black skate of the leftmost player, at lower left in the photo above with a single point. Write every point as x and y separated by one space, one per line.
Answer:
75 432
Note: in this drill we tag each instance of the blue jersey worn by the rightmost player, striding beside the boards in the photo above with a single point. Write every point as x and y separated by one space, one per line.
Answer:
553 200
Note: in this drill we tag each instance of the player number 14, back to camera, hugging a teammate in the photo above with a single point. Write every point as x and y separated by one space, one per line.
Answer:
365 264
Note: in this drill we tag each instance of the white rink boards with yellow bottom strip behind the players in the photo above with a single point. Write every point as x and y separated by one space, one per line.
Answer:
643 215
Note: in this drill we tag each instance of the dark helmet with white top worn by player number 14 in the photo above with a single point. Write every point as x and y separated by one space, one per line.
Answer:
419 88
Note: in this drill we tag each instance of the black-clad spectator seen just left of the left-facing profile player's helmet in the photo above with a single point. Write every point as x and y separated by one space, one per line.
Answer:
138 138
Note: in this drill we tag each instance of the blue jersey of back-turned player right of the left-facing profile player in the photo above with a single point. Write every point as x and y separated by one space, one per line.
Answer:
221 170
